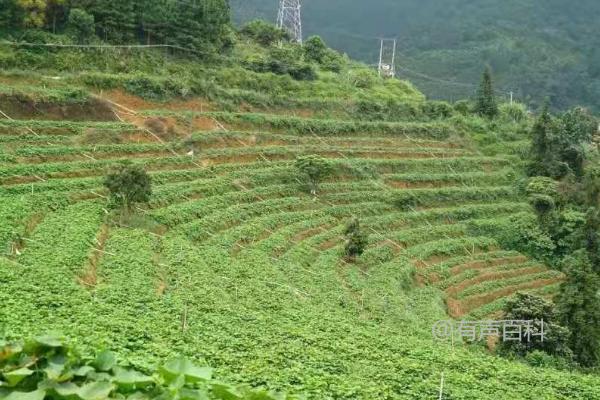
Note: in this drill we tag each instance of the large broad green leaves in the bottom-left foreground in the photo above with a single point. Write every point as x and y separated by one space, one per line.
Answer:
45 368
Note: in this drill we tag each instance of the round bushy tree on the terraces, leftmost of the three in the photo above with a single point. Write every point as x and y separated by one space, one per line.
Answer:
128 186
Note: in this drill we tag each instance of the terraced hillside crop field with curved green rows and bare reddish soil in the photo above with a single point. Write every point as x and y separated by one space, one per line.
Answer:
233 262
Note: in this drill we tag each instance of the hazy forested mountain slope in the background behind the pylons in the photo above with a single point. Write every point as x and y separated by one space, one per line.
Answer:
537 48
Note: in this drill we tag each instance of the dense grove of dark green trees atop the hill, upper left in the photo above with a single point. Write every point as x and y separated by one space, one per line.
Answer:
201 26
